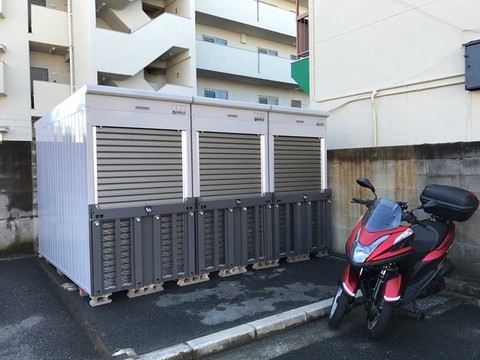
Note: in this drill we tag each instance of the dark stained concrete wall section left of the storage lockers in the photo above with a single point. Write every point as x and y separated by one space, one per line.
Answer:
17 221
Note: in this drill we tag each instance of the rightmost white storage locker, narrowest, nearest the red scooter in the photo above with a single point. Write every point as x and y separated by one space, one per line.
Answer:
299 182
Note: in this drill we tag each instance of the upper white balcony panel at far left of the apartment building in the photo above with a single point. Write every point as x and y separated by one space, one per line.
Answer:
49 26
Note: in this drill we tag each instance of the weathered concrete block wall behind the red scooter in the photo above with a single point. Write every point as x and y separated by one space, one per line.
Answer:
402 173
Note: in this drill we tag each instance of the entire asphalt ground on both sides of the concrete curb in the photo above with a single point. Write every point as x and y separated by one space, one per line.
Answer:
42 316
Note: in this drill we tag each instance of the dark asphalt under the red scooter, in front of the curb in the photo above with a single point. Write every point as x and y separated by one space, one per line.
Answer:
451 331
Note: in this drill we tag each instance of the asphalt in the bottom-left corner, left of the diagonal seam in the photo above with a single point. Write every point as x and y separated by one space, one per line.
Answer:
35 321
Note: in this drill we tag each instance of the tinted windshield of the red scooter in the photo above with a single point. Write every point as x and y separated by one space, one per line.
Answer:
385 215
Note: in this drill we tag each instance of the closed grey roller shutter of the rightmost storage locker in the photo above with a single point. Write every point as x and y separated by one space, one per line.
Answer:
297 164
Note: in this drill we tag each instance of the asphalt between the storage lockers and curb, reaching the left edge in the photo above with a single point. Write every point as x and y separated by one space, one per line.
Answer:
42 319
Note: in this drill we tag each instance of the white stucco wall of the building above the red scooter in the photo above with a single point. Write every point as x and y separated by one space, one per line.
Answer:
408 54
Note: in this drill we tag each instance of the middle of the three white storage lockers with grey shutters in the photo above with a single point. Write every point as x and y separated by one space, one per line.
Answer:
230 163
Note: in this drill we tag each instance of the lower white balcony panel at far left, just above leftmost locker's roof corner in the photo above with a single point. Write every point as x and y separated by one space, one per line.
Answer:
47 95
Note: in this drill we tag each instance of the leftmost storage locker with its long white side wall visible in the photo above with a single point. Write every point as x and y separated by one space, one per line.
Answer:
115 190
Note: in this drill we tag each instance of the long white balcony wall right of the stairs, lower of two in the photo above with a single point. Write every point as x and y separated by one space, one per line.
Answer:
243 63
